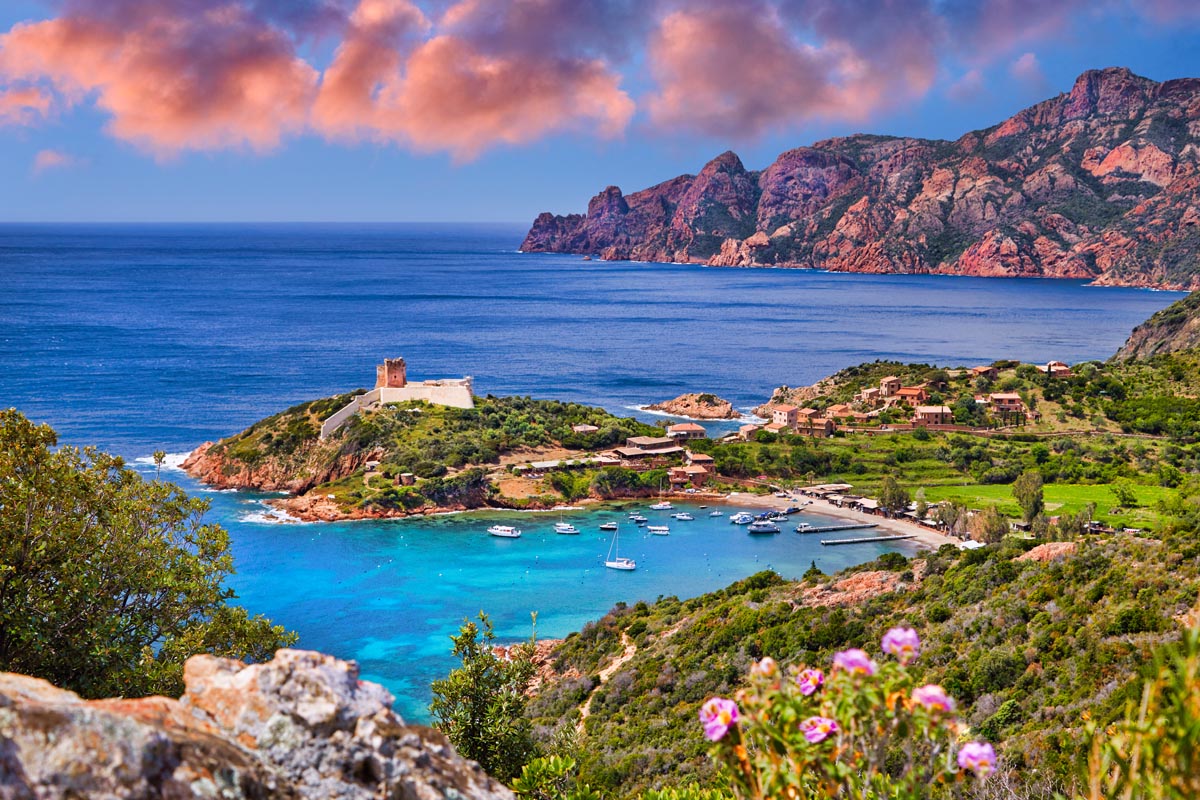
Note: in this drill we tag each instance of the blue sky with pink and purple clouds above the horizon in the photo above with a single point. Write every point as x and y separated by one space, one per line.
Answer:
495 111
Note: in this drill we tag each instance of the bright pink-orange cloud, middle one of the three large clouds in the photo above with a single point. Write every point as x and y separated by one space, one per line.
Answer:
465 89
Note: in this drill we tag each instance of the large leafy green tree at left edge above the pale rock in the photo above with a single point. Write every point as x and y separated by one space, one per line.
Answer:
110 582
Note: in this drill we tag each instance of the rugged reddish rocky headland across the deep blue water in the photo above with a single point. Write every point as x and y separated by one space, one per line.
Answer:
1099 184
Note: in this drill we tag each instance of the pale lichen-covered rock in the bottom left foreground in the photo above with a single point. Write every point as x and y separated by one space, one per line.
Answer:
301 726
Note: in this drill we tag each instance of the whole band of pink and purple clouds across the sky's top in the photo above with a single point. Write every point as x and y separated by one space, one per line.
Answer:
464 76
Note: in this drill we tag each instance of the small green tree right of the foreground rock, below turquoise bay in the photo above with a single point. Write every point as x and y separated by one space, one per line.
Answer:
481 706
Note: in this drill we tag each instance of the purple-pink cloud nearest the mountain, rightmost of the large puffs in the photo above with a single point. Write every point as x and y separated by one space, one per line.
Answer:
740 71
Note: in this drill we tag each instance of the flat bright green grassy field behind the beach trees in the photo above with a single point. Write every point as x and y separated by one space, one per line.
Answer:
1060 498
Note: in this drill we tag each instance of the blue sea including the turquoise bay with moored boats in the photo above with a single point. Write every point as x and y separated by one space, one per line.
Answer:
136 339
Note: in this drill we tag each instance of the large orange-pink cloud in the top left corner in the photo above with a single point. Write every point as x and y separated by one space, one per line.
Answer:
173 77
